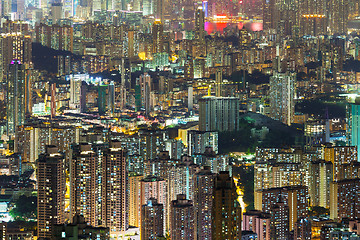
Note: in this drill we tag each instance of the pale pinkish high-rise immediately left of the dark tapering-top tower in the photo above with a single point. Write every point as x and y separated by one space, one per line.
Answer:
203 199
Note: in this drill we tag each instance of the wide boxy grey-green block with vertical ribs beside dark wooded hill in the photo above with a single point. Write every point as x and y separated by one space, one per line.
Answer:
219 114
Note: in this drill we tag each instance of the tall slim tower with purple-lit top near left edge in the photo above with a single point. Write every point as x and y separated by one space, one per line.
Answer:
15 96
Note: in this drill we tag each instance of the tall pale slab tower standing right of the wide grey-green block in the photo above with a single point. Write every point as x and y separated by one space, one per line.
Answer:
282 94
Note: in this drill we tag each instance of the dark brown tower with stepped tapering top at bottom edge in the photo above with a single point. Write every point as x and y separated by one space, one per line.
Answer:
226 211
